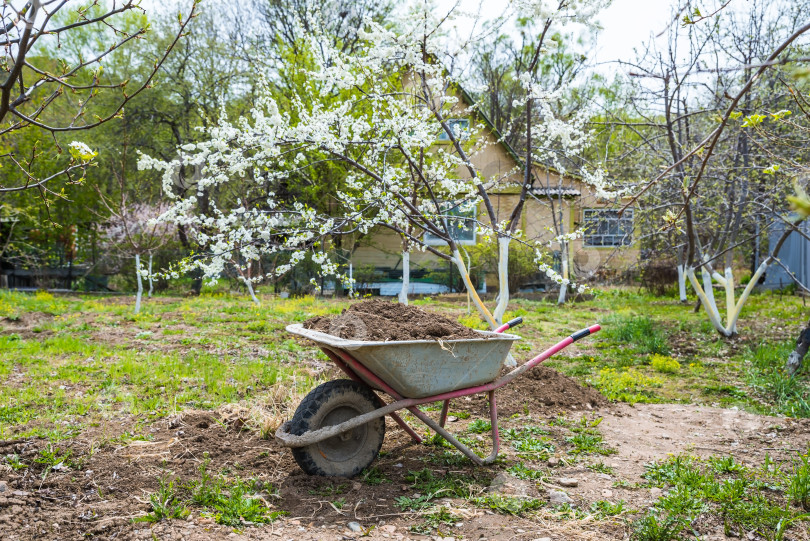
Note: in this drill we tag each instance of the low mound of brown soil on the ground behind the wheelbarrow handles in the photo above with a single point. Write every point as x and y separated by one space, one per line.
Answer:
544 389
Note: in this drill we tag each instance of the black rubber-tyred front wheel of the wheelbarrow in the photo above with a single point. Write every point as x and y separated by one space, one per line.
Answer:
346 454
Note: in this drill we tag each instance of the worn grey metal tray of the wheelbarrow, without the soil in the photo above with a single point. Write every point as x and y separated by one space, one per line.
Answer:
421 368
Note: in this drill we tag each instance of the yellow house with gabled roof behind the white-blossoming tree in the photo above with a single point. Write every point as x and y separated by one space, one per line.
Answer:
556 205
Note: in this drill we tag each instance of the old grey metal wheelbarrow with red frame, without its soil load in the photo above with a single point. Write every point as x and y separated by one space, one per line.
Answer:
339 427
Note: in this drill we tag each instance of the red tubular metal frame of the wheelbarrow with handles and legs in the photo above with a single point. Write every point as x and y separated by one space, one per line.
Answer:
354 369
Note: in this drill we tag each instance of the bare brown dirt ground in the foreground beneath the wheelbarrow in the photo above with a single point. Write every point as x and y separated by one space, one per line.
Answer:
112 486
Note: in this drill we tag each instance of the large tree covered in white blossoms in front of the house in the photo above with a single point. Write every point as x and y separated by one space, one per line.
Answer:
396 97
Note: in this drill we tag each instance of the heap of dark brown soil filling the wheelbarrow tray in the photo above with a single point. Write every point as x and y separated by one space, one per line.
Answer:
380 320
